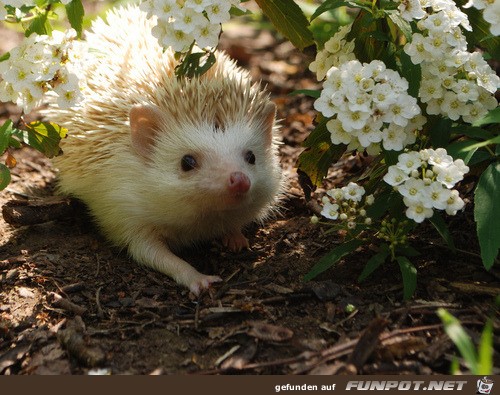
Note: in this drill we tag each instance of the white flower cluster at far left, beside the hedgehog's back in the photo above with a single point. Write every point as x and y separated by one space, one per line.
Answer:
40 64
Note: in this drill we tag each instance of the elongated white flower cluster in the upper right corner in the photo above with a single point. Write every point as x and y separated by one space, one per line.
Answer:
455 83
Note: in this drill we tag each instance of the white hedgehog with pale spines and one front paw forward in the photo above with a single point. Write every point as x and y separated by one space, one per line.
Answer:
163 163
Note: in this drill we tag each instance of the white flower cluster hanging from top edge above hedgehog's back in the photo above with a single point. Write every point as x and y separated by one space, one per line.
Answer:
180 22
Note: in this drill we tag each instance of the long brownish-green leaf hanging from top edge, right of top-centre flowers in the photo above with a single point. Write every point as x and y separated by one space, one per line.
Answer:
288 18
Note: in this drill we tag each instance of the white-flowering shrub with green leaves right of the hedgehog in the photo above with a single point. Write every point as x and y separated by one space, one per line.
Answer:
407 97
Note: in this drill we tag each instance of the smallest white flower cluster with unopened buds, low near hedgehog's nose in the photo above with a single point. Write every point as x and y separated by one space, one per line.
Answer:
345 204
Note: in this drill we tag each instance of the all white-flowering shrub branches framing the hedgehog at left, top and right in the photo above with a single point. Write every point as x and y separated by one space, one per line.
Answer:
400 83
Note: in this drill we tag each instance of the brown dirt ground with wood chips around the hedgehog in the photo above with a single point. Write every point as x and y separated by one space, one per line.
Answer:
71 304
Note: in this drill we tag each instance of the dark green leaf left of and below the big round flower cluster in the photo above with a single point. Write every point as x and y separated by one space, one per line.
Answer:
320 153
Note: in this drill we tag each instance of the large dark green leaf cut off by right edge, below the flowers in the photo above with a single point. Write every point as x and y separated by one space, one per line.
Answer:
487 213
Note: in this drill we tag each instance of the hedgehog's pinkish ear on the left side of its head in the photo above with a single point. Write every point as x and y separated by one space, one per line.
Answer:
145 122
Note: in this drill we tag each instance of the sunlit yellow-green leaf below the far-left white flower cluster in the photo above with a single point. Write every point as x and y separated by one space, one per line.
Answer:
43 136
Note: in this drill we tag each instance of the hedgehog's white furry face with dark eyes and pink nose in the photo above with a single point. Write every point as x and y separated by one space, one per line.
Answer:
210 168
